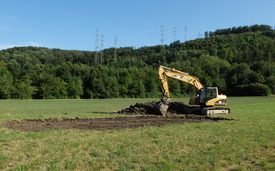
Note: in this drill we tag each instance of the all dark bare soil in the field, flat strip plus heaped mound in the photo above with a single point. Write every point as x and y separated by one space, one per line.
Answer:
146 118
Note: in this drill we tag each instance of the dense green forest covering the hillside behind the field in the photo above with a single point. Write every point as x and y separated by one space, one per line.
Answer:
238 60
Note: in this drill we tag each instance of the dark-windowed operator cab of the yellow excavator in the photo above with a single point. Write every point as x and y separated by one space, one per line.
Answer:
208 95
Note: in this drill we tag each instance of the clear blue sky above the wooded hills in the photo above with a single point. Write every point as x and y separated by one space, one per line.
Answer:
73 24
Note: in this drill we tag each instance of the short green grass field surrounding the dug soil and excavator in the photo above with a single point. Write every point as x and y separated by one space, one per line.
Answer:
245 144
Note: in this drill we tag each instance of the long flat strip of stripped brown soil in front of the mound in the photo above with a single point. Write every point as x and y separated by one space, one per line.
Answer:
108 123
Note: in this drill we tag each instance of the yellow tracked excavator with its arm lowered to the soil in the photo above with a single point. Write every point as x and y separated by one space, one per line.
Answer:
206 97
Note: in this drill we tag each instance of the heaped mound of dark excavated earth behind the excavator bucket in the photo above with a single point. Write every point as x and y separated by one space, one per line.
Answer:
147 109
